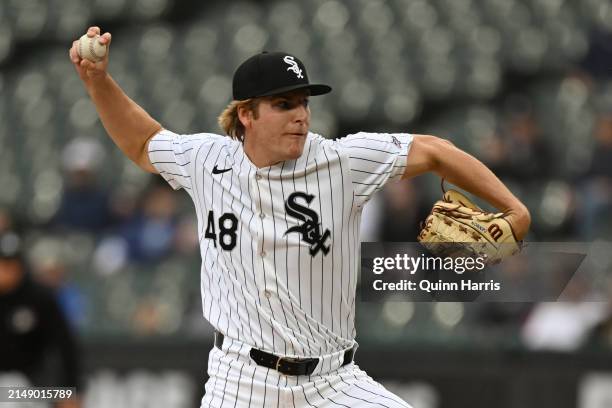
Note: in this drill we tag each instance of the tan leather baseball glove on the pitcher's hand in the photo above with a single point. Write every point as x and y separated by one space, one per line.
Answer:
458 227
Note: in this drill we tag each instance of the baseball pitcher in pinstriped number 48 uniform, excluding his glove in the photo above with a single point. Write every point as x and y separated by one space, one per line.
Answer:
278 211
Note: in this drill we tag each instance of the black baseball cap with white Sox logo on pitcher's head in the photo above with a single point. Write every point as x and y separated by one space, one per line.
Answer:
271 73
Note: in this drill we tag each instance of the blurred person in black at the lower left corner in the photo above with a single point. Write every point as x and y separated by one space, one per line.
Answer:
35 338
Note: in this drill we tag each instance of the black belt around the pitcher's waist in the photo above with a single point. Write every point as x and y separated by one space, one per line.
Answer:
286 365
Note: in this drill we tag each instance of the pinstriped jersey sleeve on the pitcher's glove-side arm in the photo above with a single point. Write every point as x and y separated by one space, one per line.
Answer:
374 159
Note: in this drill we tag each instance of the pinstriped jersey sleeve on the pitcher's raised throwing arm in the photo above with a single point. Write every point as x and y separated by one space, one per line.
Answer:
171 155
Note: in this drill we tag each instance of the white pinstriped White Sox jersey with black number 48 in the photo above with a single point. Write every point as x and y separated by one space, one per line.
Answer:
280 245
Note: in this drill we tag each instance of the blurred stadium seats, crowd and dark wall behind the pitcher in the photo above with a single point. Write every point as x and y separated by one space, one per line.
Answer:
524 85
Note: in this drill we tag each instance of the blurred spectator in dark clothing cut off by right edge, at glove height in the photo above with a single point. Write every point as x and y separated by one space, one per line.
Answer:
596 185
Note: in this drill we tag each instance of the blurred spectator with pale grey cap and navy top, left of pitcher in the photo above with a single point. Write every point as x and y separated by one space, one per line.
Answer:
84 204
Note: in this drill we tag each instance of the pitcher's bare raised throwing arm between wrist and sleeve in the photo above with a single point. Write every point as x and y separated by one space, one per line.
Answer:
125 121
